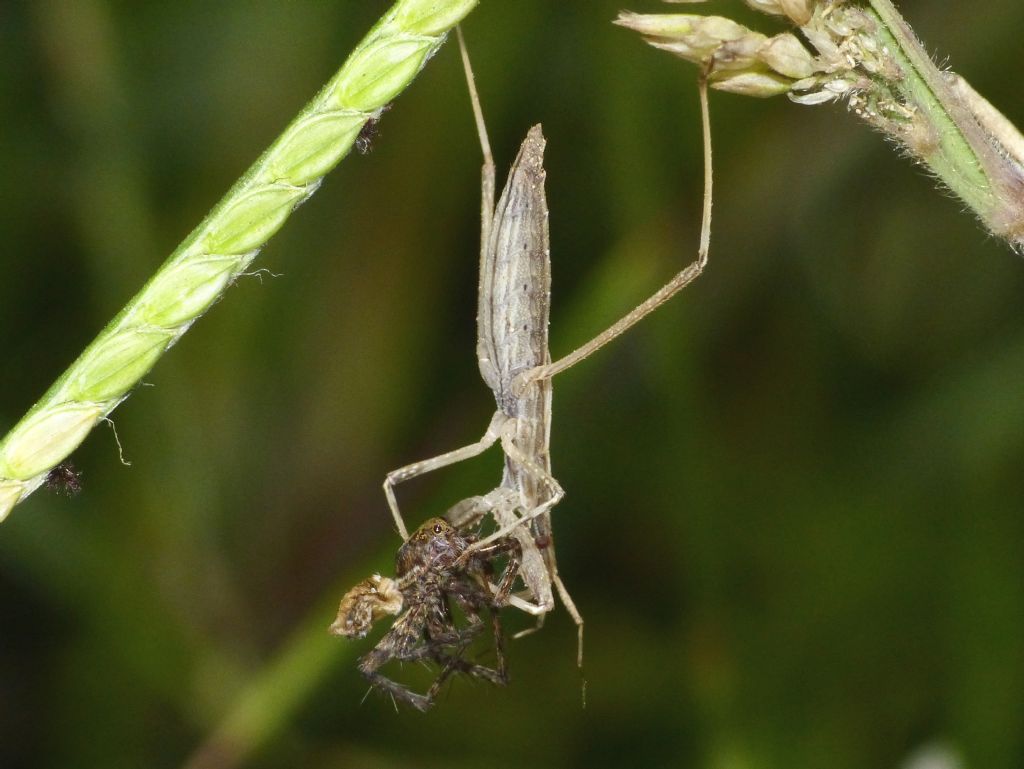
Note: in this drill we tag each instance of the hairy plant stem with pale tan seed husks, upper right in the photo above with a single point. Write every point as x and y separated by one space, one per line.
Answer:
867 54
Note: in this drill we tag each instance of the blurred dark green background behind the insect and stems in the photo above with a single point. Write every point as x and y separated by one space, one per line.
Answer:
794 512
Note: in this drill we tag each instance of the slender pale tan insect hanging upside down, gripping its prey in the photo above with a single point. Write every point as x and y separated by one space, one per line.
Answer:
513 354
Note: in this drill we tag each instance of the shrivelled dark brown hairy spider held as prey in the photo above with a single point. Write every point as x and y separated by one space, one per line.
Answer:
431 572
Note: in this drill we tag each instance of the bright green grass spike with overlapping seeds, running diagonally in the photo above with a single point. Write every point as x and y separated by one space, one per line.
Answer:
226 243
